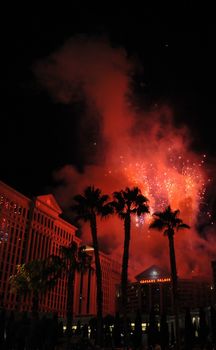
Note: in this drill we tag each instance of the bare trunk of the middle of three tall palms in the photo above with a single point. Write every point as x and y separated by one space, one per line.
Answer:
124 276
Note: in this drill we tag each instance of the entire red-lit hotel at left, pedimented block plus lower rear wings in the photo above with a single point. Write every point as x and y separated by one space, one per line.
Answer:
32 229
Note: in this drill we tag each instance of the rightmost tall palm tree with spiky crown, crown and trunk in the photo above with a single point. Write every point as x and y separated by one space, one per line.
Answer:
169 221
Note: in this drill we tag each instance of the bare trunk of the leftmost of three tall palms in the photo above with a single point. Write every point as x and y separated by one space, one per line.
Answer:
99 335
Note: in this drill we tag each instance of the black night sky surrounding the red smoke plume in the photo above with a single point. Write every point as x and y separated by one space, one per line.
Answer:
173 45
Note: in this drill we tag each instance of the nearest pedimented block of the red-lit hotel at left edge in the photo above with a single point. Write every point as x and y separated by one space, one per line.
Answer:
31 230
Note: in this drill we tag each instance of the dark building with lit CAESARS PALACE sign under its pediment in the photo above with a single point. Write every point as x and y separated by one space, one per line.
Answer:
152 291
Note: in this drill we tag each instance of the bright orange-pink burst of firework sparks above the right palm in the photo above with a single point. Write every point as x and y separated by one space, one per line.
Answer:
172 183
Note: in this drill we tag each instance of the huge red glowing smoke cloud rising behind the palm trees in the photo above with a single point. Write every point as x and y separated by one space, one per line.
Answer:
142 149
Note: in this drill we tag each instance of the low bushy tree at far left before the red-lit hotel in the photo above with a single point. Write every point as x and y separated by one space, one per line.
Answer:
36 277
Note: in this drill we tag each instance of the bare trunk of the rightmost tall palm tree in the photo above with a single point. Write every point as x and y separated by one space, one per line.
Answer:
174 287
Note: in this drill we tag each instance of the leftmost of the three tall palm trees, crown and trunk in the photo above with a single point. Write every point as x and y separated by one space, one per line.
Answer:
88 206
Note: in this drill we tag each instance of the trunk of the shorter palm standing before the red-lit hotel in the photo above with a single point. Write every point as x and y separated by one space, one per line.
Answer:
70 298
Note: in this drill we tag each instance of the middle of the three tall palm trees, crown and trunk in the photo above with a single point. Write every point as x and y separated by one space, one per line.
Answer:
126 203
